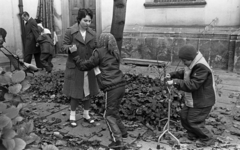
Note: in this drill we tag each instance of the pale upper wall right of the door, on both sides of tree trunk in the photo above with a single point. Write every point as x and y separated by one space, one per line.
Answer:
227 12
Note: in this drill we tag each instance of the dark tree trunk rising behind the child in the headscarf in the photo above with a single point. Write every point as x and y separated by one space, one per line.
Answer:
118 21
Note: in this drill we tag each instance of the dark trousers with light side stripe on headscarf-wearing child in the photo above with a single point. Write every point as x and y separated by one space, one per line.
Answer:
111 115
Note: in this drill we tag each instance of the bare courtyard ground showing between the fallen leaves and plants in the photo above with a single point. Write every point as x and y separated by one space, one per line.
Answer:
225 110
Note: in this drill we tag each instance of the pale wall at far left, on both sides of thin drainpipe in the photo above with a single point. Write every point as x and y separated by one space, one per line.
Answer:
10 21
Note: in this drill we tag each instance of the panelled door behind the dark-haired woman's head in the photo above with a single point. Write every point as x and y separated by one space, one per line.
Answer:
76 4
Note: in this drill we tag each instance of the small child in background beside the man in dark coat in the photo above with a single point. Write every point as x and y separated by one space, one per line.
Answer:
45 42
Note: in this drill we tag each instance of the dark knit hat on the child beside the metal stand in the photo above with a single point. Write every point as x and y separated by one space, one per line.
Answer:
187 52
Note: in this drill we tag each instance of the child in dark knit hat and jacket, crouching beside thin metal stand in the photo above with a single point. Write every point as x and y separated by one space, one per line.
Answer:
197 81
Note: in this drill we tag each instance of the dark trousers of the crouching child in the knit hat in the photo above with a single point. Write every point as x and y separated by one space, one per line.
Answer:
193 120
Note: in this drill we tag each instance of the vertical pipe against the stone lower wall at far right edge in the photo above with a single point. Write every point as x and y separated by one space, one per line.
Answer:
231 52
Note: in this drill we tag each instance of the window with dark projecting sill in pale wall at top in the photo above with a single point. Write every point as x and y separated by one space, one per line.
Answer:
156 3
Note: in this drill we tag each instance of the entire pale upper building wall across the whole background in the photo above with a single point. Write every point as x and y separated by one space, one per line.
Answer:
227 12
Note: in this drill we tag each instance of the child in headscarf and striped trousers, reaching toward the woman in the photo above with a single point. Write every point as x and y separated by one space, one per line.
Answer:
106 62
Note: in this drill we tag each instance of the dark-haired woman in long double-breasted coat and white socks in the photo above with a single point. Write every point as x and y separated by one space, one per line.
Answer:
80 85
